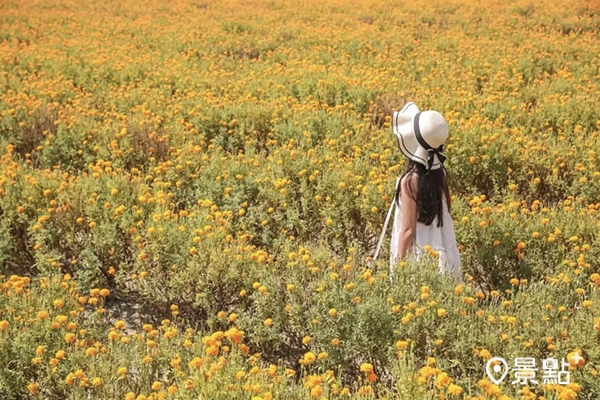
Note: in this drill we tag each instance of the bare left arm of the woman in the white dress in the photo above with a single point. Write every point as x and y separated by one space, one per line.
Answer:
408 228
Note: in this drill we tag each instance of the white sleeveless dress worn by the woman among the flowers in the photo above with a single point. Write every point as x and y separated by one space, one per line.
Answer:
441 239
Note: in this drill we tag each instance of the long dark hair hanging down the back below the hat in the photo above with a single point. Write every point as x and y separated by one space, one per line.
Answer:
431 190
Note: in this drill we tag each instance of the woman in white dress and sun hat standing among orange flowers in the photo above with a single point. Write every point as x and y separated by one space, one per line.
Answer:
422 216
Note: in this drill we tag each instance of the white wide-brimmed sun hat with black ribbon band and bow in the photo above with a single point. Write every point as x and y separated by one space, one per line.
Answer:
421 135
